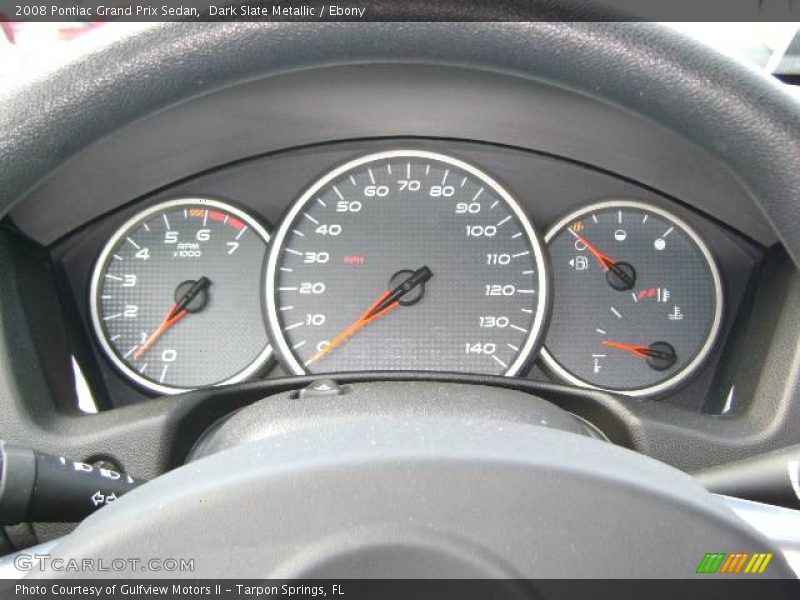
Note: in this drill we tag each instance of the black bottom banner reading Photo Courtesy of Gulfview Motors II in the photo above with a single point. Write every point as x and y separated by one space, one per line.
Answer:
411 589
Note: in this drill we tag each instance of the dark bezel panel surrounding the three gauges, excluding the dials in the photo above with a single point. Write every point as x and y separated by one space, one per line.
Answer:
547 187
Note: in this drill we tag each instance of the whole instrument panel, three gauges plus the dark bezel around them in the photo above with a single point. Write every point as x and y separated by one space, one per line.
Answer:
407 254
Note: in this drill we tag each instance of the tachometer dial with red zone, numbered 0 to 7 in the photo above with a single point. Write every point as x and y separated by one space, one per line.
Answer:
176 296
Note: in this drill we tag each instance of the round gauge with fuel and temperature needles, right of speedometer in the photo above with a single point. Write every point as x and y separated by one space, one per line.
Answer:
637 299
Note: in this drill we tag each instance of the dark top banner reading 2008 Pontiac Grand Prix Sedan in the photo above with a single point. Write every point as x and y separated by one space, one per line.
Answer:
401 10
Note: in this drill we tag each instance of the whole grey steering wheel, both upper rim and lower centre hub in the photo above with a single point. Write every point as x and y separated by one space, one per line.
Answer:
384 480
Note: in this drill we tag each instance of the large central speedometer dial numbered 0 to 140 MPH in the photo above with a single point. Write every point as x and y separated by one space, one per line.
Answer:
406 260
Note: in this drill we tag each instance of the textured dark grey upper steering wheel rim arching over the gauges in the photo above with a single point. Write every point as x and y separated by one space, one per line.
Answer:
740 115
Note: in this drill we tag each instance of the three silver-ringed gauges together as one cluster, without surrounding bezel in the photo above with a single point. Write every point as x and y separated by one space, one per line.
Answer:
407 259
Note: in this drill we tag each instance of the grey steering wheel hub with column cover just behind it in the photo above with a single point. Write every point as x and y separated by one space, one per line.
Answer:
416 488
